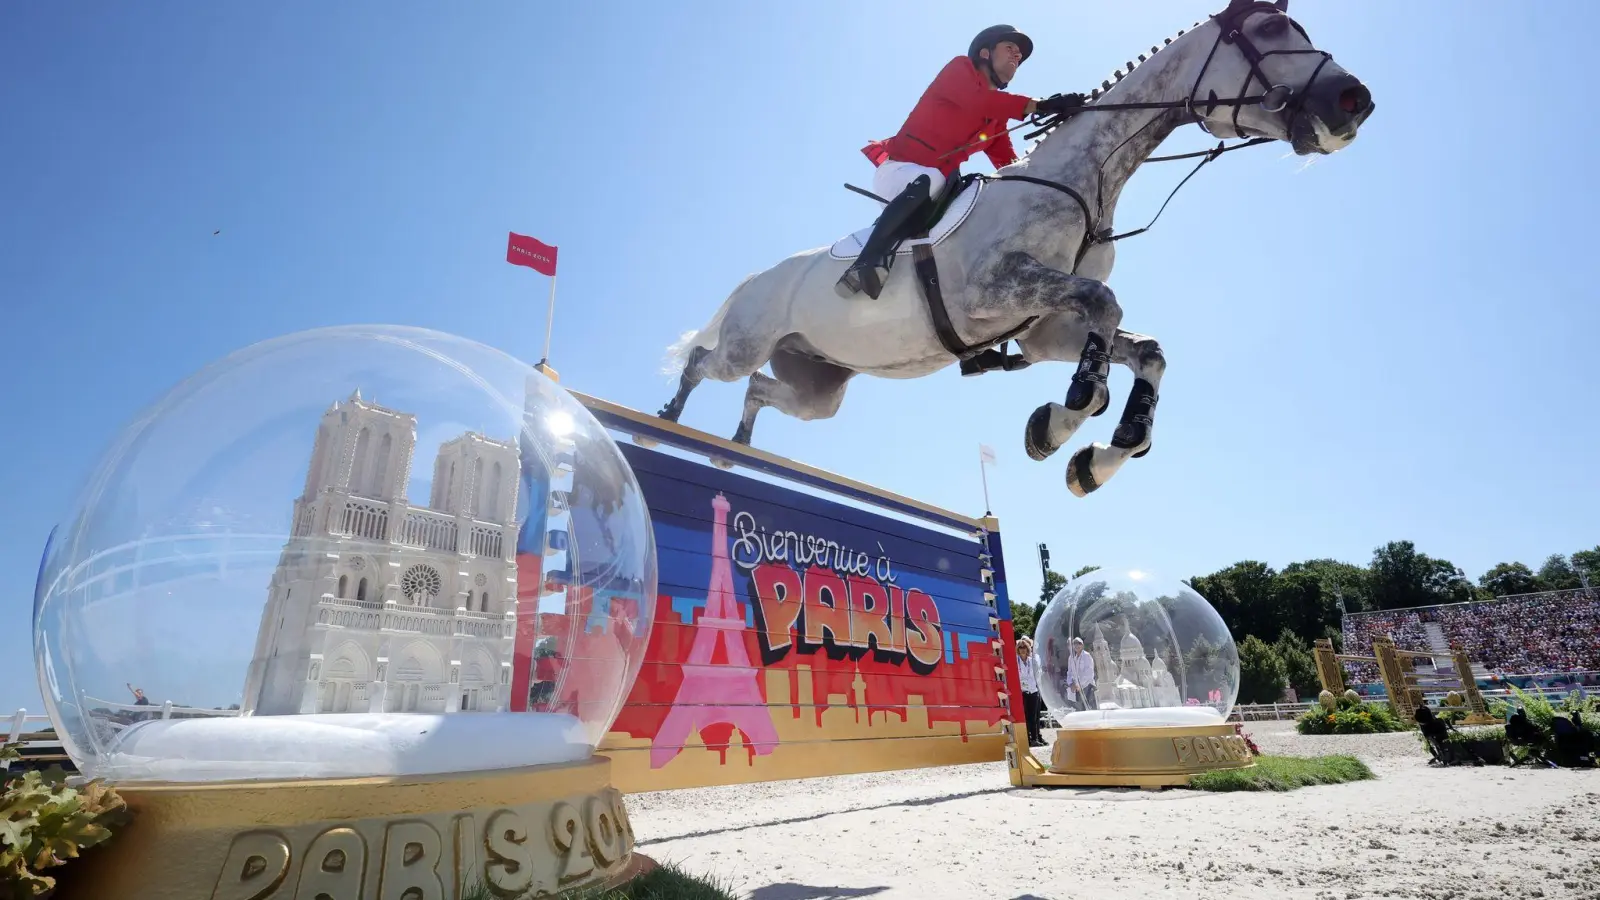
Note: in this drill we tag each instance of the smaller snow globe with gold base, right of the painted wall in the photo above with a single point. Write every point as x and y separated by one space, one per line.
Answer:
1140 675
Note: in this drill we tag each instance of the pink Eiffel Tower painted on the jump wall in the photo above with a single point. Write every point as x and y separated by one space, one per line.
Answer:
714 696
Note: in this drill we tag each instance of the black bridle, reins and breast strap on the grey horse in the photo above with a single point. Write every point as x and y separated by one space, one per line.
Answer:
1278 98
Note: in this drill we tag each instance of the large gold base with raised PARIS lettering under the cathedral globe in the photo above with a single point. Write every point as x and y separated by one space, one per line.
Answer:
516 832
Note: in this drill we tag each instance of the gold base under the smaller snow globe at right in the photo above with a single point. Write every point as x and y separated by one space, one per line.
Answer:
1130 758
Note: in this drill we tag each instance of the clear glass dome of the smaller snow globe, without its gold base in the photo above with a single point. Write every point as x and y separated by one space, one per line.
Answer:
1127 648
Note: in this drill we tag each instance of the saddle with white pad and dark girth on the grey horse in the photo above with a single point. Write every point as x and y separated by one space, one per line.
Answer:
919 236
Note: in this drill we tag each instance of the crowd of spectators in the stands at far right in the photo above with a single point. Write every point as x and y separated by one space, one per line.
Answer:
1554 632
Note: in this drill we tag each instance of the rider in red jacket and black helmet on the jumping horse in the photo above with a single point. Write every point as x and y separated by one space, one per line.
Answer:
964 111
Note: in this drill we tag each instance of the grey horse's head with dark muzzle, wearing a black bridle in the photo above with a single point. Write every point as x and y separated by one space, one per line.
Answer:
1308 98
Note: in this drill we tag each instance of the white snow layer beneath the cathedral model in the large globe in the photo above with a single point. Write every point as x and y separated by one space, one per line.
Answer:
345 745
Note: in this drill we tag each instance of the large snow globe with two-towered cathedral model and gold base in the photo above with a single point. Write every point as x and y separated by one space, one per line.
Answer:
321 579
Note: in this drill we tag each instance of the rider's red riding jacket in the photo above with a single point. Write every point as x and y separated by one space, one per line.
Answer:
959 108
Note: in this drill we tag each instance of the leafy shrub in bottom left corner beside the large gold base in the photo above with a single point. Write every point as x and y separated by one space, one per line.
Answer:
44 824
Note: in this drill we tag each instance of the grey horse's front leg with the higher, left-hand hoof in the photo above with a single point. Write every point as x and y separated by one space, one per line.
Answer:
1026 287
